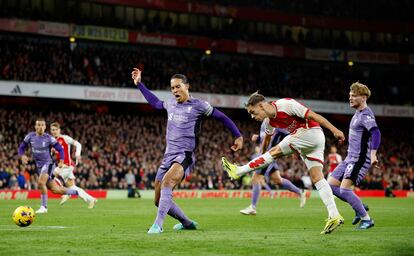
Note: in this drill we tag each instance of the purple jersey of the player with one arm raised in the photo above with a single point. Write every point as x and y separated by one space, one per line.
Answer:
184 123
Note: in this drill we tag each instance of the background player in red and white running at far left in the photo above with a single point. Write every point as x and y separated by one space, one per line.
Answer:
66 172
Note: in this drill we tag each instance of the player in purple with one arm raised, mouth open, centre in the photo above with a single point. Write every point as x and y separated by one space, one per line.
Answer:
185 114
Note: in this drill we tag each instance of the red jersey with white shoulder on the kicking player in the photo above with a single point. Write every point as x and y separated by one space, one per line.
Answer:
291 116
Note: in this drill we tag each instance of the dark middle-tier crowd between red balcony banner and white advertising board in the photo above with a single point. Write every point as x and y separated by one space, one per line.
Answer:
55 60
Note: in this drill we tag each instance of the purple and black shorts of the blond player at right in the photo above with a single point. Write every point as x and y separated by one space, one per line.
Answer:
352 168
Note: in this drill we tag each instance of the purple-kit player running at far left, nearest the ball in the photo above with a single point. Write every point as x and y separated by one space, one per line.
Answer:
40 144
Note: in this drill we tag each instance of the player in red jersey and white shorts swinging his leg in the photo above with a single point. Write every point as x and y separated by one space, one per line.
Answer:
306 138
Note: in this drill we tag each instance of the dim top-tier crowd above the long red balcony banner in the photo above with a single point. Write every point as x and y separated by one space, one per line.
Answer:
216 27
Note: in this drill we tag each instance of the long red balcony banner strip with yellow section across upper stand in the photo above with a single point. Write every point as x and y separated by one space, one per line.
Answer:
200 42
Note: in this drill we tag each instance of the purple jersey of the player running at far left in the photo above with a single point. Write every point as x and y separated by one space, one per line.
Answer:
40 146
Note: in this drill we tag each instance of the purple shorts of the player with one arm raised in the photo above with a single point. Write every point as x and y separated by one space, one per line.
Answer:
185 159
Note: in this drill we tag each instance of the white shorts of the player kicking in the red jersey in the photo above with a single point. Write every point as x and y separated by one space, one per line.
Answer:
308 143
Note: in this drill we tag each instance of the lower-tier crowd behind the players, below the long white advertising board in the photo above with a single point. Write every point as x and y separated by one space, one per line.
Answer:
121 150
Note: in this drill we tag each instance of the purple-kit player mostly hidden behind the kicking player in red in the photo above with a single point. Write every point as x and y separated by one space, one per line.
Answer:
271 171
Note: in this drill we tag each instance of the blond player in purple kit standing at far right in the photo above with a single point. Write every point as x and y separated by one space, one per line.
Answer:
364 140
